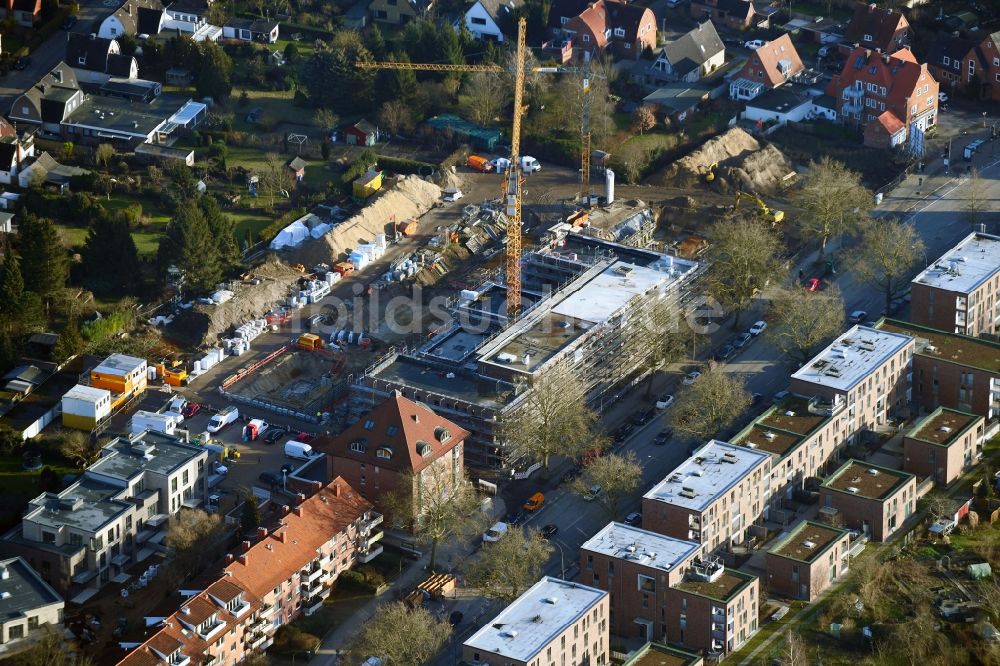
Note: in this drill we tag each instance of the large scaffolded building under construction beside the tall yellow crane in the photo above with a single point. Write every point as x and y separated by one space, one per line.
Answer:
578 294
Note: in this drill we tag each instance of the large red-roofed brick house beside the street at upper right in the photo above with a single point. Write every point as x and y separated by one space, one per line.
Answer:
885 95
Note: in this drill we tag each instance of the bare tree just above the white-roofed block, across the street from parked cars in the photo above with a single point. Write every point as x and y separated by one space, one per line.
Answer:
802 321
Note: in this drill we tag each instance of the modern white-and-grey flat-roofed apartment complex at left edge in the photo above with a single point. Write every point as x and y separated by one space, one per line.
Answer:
79 539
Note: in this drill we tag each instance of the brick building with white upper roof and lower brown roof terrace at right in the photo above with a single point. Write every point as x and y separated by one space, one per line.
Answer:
662 590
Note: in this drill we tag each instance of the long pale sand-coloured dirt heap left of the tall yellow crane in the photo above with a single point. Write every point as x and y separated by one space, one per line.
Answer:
411 197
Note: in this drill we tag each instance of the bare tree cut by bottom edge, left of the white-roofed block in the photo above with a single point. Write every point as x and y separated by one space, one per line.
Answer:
400 636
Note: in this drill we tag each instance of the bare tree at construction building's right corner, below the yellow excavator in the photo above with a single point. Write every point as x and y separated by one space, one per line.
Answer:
744 258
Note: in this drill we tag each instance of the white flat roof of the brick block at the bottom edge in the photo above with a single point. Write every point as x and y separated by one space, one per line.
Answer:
535 619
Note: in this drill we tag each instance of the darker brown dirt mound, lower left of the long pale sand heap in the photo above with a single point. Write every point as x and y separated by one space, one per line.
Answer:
204 324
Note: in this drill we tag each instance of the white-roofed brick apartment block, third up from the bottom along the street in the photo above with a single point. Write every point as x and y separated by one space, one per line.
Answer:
712 498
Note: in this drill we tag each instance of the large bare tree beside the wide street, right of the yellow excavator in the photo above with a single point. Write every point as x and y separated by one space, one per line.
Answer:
833 202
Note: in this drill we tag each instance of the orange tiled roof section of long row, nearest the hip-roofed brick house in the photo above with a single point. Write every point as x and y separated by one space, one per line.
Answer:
288 548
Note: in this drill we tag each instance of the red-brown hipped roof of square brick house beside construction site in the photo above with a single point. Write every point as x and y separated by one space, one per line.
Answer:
400 429
